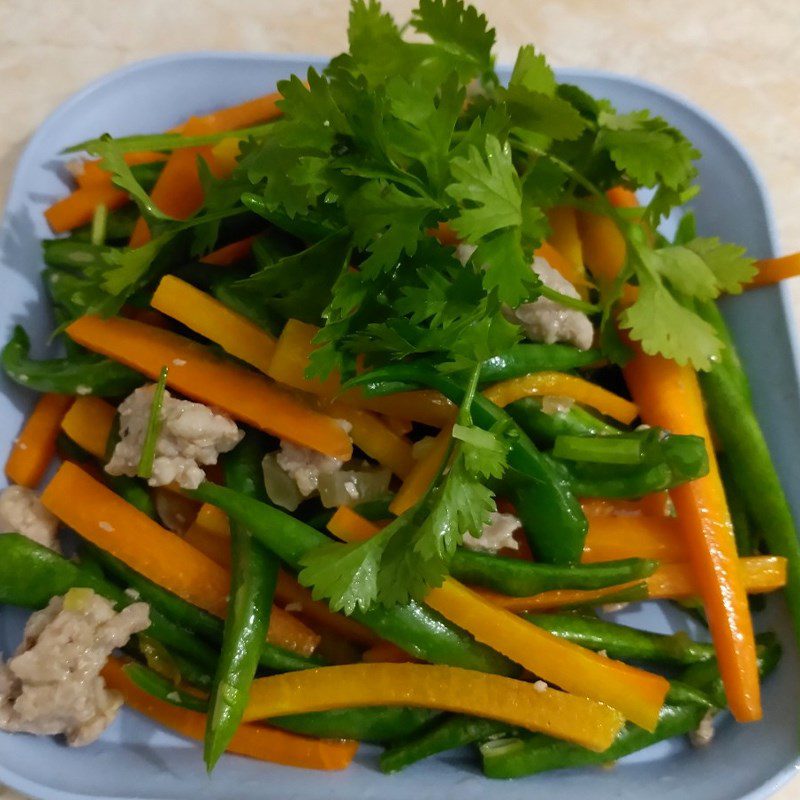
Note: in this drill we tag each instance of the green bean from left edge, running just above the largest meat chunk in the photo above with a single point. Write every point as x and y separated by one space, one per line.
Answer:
31 574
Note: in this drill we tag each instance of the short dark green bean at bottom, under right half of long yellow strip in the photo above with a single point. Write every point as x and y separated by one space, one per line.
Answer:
455 731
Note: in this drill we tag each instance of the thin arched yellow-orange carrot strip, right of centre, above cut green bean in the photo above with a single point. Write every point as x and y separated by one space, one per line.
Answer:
563 385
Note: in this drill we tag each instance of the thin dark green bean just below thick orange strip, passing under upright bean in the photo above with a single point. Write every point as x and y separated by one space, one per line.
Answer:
272 659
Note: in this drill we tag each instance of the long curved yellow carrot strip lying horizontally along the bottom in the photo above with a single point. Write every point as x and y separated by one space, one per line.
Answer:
558 714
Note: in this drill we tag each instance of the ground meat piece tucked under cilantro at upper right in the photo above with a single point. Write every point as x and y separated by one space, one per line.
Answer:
547 321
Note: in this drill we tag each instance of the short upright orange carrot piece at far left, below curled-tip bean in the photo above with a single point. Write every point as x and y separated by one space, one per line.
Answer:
35 446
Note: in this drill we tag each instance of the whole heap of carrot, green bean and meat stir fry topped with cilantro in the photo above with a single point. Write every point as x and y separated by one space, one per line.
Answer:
378 394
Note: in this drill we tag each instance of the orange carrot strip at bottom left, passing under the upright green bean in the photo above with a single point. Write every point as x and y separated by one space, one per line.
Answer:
255 741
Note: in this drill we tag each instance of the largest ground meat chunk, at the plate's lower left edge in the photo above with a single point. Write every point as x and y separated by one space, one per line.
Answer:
52 684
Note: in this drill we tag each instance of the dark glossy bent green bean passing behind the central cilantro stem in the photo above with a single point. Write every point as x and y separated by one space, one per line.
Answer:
541 494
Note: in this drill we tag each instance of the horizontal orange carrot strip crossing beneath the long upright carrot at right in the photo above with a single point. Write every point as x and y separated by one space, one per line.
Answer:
760 575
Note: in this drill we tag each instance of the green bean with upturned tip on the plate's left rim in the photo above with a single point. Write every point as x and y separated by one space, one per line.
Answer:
78 374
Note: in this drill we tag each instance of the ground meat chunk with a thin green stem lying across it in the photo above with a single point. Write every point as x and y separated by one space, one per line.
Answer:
191 435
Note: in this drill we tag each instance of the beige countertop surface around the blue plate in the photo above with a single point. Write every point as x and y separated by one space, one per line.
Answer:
740 61
